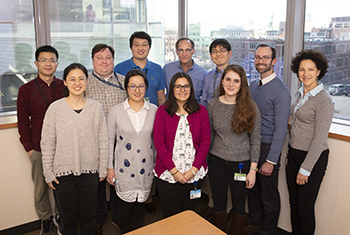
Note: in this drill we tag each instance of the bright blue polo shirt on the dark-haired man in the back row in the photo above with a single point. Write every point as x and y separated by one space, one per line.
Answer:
154 73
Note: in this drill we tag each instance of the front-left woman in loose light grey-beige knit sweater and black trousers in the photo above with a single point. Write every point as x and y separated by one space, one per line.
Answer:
74 145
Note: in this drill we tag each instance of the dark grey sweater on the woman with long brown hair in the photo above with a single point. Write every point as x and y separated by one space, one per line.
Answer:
226 144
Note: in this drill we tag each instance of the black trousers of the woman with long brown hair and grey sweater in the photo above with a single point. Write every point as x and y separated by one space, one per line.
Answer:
221 174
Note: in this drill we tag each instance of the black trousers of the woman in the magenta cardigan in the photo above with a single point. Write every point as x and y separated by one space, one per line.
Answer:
175 198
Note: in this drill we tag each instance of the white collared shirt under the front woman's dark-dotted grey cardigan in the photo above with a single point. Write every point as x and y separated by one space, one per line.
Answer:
137 118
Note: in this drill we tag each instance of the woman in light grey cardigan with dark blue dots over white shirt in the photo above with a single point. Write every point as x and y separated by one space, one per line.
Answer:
131 154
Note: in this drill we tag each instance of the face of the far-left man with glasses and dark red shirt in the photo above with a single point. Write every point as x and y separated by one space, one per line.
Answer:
46 64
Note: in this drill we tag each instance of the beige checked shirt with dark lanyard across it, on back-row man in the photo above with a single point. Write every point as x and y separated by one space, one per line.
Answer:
106 94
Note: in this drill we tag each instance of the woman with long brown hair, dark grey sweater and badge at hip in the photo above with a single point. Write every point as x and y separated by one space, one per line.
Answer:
235 123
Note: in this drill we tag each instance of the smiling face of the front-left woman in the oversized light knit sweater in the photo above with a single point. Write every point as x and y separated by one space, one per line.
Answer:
76 82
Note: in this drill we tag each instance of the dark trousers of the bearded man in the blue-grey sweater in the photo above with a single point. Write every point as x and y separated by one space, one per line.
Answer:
264 199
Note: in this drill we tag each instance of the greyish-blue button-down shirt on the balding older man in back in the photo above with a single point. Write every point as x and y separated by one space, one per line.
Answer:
196 72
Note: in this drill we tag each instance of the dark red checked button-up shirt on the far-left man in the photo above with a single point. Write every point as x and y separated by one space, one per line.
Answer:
31 109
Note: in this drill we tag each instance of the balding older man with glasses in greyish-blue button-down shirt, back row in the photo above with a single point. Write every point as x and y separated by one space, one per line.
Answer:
185 49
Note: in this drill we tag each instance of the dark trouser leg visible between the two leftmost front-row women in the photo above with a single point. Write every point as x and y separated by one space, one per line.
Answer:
101 204
